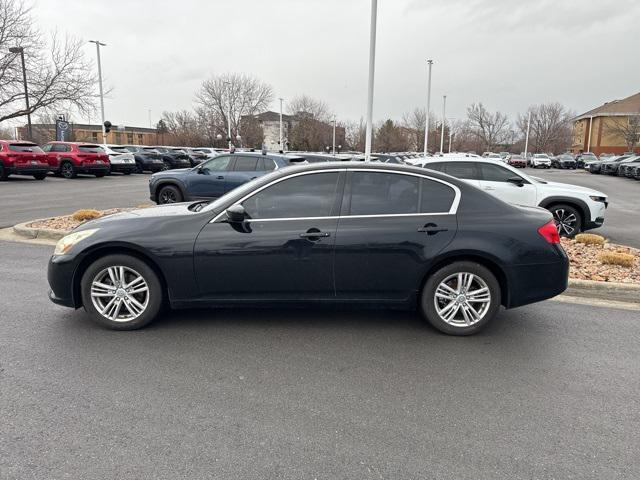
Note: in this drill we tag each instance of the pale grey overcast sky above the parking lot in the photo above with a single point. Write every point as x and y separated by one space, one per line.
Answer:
506 53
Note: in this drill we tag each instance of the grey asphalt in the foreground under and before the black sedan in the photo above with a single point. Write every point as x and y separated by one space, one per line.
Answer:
547 391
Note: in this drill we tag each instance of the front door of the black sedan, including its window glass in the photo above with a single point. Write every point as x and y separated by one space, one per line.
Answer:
283 251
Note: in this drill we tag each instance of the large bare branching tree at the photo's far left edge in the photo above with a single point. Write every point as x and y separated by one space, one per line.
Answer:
58 75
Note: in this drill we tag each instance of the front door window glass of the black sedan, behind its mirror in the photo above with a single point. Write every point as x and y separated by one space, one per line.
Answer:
310 195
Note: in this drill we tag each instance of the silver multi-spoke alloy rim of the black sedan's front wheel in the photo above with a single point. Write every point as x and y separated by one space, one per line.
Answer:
119 293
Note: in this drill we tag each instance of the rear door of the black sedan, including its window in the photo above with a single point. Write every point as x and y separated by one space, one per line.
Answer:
391 226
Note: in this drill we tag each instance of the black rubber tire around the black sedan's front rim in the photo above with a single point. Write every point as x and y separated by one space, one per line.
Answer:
153 301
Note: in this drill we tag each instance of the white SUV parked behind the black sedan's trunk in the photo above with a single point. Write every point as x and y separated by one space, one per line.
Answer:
574 208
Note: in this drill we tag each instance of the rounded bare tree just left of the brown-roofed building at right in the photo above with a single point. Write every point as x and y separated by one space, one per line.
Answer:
550 127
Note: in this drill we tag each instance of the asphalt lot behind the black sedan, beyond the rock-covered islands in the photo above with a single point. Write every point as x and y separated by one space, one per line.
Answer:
24 199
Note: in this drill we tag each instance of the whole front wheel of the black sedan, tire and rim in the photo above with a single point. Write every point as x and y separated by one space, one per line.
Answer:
121 292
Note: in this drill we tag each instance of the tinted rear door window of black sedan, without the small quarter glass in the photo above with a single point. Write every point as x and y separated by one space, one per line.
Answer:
377 193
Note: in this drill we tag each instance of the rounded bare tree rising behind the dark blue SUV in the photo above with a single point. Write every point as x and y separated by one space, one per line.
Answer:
230 95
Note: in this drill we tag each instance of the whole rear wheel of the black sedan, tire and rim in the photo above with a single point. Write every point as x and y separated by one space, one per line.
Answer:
460 298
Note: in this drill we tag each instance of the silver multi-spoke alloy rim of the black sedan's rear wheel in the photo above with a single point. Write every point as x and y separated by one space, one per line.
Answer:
462 299
